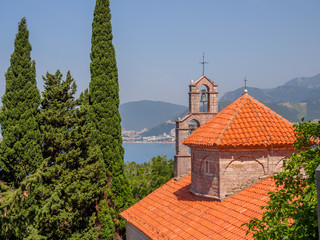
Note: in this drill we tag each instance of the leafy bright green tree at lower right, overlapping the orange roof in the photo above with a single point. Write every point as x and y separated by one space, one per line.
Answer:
291 212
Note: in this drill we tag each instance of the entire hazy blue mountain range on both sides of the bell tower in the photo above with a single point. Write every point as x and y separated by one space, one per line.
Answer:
296 99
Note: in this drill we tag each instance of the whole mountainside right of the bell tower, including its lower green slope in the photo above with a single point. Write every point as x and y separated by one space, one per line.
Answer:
296 99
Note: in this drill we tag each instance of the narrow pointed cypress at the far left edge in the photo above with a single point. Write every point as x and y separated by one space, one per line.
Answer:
20 152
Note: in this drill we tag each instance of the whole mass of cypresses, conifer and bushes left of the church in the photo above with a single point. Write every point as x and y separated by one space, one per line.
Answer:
62 174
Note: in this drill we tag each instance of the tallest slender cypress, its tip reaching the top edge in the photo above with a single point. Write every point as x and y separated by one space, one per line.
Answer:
104 118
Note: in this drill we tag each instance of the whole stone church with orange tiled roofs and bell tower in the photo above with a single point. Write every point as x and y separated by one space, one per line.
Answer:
224 164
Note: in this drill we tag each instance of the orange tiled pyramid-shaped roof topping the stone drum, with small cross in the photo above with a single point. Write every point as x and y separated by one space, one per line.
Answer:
244 123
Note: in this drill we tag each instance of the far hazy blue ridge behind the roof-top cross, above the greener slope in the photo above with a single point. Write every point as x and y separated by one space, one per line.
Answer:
295 90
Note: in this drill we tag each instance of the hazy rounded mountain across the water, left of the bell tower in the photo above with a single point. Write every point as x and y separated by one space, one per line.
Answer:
147 114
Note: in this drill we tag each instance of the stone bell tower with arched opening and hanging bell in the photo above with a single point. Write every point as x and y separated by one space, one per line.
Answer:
203 105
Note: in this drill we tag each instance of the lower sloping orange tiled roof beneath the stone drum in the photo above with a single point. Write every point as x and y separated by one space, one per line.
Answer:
172 212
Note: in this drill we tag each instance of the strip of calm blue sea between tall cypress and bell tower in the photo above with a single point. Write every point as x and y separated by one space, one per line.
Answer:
143 152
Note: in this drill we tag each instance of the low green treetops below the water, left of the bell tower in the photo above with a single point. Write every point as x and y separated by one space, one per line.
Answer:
147 177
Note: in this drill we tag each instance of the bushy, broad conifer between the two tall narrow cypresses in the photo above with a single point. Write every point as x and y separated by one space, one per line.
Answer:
59 200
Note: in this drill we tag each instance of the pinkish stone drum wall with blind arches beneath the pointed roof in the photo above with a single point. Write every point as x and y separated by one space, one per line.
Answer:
219 174
